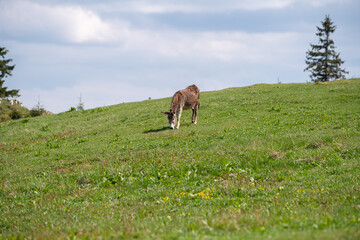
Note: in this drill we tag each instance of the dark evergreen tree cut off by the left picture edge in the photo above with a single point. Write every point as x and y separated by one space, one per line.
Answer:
5 71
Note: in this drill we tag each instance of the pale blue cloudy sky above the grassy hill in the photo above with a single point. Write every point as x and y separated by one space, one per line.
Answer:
109 52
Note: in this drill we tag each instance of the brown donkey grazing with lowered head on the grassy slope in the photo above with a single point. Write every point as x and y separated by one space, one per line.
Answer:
184 99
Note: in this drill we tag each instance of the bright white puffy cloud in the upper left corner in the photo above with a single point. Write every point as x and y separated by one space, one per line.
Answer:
70 23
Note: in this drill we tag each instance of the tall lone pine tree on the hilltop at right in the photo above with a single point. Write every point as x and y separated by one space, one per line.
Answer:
322 61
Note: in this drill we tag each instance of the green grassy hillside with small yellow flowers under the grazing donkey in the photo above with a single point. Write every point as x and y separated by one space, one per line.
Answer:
277 161
